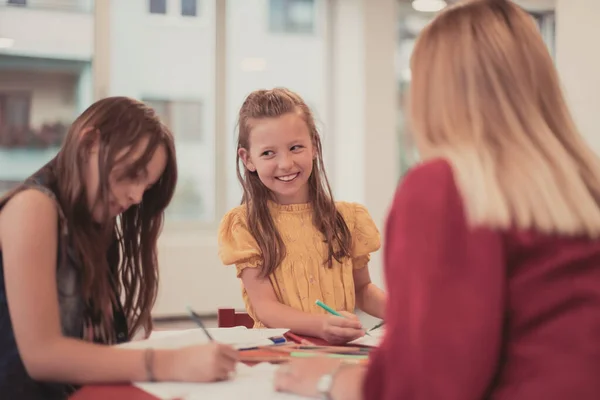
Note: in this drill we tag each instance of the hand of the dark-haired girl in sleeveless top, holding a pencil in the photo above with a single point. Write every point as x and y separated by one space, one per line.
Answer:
206 363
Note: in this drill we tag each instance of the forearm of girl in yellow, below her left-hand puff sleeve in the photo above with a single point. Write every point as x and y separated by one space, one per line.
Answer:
276 315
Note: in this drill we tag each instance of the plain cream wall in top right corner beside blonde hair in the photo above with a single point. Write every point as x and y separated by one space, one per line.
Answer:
578 62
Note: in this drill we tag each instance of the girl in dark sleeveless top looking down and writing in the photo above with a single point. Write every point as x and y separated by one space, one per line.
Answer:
78 261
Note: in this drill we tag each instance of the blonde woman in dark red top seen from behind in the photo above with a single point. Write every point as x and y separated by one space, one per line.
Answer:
492 252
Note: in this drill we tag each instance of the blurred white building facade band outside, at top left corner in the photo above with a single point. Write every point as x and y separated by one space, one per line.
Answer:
47 32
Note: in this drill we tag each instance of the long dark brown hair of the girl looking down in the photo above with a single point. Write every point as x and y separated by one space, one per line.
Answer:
117 124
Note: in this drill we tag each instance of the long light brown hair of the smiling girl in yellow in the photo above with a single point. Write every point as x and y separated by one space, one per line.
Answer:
274 103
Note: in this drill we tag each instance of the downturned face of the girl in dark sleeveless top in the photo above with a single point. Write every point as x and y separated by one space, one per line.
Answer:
126 185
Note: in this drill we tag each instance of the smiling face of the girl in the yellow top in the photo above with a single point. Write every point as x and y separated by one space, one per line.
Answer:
281 153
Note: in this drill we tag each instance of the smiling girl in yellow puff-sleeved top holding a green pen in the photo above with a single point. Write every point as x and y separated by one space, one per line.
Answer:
290 242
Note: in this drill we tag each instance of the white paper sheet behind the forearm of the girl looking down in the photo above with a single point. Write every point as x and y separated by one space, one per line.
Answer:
239 337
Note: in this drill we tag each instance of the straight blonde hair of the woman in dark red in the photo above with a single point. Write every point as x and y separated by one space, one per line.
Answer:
486 97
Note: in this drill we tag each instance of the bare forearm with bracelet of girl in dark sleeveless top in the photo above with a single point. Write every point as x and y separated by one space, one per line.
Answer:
78 362
